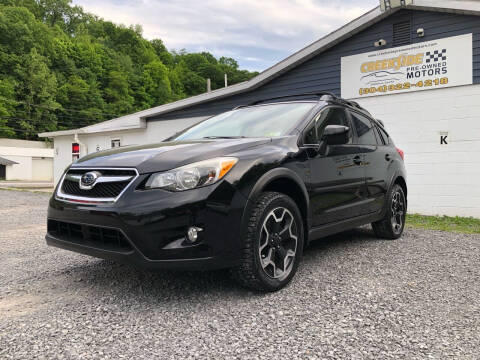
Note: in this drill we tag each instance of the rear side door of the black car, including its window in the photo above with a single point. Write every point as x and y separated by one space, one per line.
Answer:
376 161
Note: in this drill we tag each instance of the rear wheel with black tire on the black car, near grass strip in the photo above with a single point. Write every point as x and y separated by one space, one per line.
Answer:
392 225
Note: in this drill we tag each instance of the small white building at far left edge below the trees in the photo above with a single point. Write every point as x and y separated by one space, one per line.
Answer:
25 160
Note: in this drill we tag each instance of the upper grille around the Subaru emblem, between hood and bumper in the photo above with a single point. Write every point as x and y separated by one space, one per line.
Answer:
100 189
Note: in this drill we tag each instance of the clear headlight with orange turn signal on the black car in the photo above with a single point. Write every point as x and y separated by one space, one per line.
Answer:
192 176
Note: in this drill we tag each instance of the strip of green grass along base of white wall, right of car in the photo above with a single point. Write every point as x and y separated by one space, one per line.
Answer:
445 223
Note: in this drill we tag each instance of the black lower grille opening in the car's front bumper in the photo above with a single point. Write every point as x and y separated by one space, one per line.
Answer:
95 236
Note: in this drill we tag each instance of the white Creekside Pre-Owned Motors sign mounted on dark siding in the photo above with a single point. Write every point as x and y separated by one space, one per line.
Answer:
423 66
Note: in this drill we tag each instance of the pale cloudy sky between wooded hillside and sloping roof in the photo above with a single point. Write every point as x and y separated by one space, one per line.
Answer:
257 33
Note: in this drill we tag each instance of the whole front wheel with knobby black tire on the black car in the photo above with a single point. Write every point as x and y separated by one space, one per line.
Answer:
273 244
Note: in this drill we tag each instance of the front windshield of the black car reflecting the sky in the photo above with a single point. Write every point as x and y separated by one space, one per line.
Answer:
259 121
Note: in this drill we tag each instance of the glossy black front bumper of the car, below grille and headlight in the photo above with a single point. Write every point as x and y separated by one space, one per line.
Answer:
151 226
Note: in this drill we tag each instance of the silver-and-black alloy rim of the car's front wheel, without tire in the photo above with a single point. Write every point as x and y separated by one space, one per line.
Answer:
278 243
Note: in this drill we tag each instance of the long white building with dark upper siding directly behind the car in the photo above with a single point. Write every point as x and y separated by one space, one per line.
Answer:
415 64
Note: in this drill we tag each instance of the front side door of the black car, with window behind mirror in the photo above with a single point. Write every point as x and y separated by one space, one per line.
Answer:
337 180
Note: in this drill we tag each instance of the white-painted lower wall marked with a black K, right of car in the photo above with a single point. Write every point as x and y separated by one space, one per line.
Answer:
439 131
